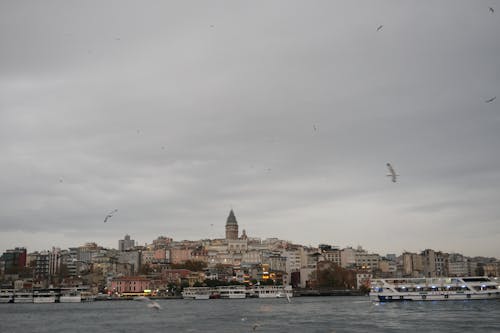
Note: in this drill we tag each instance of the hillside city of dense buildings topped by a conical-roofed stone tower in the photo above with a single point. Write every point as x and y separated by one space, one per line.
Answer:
166 266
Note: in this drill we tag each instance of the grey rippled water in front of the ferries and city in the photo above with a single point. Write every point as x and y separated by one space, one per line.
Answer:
303 314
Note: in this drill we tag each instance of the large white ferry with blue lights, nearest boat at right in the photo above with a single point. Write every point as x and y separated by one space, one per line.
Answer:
434 289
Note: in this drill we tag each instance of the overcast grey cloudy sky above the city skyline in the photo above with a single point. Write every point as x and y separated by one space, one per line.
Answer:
176 112
